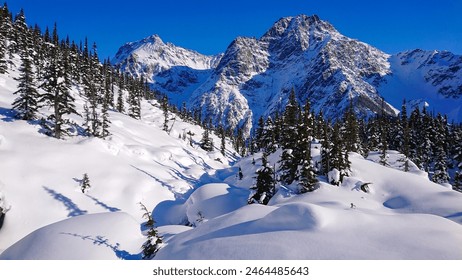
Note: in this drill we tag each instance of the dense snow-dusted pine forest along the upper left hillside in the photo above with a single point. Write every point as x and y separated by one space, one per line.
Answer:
51 66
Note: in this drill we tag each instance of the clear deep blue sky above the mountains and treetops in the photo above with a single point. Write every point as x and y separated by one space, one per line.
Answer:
209 26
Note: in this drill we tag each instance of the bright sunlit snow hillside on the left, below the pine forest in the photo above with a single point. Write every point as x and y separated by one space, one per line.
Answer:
40 178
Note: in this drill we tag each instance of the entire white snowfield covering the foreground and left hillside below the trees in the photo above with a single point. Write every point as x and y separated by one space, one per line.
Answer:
198 202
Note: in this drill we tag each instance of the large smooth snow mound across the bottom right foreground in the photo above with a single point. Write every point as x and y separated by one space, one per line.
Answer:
269 232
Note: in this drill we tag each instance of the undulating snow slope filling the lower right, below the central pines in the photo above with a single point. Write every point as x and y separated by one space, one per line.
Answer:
404 216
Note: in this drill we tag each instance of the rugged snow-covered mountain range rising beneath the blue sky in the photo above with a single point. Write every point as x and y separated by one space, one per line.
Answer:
253 77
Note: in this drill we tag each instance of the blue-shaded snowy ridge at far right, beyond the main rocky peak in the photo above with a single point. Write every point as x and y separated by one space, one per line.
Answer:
426 78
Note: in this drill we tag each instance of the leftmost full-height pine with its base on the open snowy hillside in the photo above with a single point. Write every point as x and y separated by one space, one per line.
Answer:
26 103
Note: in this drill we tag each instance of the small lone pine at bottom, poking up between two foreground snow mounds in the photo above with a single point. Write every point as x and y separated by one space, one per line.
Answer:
154 241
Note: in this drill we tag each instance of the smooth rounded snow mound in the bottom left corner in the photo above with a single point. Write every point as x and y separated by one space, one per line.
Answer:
90 237
